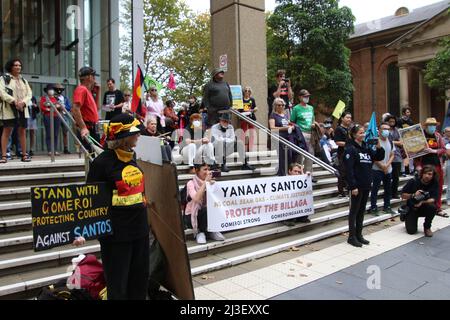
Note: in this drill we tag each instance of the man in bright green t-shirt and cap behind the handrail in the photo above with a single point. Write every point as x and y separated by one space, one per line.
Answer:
303 116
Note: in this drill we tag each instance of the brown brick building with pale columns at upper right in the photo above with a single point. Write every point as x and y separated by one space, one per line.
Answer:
388 61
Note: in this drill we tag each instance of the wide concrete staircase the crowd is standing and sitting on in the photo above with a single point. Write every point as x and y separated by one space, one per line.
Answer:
24 272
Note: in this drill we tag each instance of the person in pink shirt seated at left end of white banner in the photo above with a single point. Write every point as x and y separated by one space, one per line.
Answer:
196 216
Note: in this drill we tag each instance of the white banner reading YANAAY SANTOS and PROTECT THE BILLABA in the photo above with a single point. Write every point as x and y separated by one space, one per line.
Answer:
241 204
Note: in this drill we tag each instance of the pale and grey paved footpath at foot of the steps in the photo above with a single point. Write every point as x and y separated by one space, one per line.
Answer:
409 267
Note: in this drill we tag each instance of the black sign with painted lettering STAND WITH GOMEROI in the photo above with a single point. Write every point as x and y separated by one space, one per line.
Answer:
62 214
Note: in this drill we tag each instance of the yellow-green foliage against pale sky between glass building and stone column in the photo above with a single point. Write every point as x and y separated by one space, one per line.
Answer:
175 39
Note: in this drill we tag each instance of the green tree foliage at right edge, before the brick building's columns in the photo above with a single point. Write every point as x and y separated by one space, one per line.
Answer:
437 73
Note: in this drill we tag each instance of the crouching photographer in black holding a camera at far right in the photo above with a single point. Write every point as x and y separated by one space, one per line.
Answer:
421 194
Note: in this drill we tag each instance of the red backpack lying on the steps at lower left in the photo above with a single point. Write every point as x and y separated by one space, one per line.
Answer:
88 275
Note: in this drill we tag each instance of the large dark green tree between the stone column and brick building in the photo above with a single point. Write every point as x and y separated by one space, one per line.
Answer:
307 38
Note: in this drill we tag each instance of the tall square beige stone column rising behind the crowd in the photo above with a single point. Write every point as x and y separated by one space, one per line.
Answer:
238 29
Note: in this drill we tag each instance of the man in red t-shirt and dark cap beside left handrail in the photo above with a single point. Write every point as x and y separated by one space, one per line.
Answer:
85 106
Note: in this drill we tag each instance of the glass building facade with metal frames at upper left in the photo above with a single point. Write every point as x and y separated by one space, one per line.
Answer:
54 38
